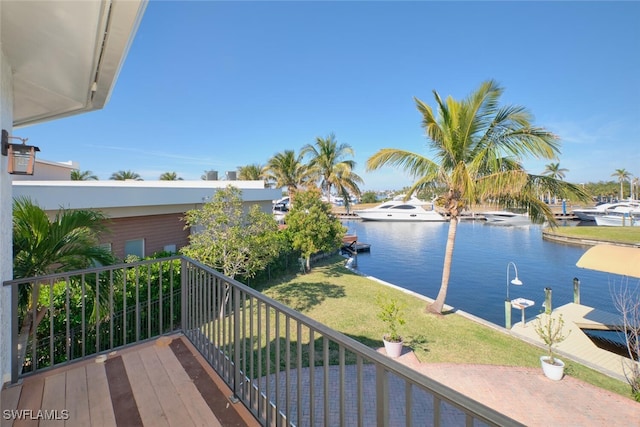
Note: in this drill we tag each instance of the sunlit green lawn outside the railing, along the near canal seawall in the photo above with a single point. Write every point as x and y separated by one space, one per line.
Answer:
346 302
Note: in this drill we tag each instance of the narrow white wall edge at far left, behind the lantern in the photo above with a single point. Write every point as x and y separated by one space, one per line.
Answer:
6 221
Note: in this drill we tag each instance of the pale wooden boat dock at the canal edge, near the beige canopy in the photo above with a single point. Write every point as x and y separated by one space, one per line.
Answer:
578 345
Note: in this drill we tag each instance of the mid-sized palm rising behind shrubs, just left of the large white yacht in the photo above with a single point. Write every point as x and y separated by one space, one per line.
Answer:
328 162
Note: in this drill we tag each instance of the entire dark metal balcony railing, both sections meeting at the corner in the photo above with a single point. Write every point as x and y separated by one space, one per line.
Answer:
286 368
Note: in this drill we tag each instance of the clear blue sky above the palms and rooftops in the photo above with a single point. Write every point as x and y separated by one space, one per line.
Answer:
211 85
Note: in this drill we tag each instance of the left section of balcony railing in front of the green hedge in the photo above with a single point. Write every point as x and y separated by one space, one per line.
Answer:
60 318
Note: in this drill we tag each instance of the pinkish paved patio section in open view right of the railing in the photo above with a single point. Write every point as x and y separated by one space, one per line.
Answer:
527 396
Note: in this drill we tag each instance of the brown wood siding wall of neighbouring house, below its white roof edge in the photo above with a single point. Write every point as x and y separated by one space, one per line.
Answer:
157 231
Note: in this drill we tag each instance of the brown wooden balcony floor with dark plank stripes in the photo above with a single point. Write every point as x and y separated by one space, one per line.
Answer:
161 383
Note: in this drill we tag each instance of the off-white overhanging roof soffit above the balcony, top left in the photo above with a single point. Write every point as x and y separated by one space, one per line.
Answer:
65 55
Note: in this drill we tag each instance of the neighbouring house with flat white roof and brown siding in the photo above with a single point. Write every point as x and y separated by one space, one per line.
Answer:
145 216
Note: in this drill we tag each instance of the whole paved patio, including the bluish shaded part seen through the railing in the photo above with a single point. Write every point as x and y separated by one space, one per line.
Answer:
523 394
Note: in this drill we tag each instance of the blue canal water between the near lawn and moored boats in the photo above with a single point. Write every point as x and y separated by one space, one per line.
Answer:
411 255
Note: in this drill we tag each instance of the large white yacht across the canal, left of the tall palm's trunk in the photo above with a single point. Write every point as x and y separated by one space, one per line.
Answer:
399 210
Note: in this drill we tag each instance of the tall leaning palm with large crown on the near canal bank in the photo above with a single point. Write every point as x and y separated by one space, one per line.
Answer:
477 147
